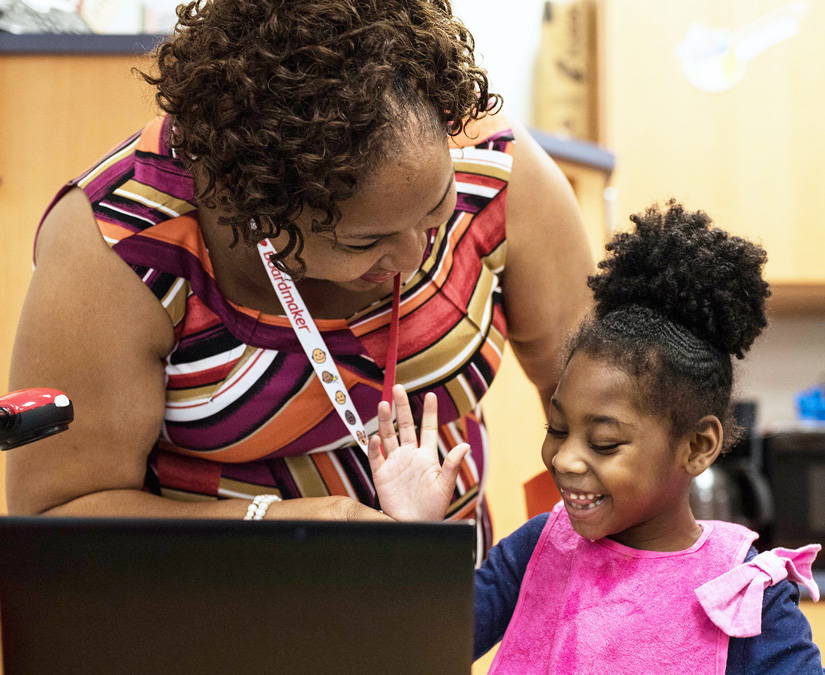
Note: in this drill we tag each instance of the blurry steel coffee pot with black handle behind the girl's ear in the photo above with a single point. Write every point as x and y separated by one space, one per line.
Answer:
735 488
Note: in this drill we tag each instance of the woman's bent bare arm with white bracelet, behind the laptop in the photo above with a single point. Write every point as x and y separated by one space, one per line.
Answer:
90 328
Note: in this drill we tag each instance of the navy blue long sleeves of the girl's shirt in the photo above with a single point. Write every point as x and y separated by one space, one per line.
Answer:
784 646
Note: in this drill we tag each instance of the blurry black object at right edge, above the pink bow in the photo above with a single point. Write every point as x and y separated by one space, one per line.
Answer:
795 466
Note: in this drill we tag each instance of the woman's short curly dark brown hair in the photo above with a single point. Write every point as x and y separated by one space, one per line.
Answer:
280 106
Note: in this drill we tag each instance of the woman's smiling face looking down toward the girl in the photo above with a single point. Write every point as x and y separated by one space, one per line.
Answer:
383 228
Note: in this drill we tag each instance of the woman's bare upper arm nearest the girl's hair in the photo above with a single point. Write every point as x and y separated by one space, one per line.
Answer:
548 261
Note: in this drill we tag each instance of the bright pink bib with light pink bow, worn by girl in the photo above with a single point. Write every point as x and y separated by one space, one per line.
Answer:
598 606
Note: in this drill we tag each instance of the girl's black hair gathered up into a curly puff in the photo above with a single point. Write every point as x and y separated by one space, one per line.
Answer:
675 299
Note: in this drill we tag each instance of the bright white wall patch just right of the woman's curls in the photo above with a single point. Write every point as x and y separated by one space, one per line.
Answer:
507 40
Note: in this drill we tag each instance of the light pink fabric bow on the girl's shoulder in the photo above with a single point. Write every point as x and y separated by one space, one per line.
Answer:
733 601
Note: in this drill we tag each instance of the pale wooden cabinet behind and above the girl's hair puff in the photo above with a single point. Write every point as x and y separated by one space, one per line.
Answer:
753 155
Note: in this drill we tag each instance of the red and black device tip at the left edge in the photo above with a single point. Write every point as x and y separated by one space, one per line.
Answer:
27 415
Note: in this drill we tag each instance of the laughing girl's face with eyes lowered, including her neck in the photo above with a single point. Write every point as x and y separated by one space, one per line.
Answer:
619 472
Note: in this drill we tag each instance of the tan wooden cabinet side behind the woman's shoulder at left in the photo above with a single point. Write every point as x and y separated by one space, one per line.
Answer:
57 114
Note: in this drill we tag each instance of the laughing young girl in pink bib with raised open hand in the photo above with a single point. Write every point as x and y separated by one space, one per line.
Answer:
619 576
